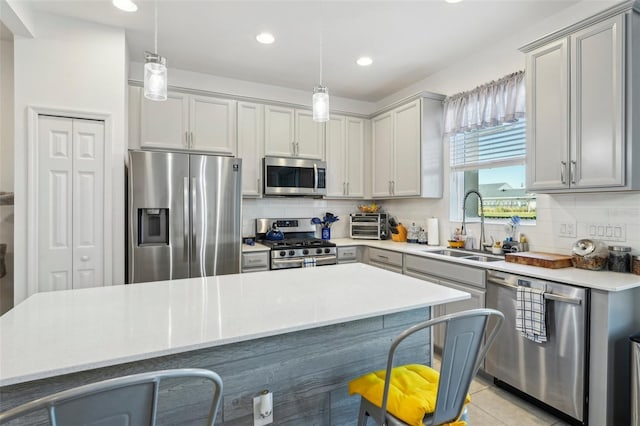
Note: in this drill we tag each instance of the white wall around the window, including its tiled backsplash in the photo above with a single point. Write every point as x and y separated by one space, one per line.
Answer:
489 64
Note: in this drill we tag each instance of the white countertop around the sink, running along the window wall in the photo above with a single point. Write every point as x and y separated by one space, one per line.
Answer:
599 280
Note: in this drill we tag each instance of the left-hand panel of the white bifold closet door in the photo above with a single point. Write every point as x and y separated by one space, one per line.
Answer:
55 205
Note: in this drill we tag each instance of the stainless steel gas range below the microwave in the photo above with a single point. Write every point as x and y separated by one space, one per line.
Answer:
299 247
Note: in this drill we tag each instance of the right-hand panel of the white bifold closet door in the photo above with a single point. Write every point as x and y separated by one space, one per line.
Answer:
88 203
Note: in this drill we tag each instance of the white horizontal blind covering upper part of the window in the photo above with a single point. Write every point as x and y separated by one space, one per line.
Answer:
491 147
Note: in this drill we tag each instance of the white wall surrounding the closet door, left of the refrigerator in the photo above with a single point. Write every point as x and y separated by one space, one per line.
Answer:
77 66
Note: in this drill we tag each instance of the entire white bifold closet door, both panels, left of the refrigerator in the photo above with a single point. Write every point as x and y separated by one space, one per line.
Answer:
70 203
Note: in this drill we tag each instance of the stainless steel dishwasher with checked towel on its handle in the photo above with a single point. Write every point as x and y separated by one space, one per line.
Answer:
554 372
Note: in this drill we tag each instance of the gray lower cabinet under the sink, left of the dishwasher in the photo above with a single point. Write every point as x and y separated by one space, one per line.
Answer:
456 276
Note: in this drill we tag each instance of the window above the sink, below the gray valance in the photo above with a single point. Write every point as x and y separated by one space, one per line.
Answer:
491 160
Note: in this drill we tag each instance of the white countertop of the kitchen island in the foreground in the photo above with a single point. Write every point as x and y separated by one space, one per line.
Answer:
61 332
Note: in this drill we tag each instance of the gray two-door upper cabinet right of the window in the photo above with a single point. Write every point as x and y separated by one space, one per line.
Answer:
580 98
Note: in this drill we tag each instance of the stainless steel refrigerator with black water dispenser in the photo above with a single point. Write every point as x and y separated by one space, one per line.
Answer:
184 216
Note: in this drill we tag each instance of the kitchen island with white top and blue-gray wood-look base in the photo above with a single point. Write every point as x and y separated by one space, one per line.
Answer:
301 333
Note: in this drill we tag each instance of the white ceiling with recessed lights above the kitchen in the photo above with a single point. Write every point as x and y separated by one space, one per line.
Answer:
408 40
